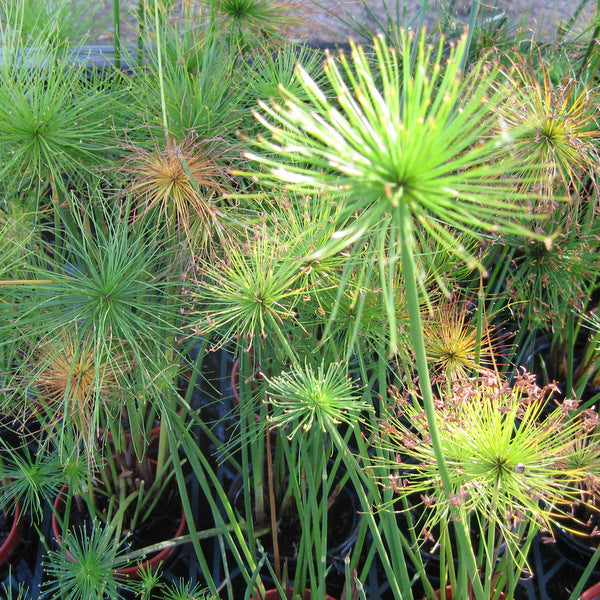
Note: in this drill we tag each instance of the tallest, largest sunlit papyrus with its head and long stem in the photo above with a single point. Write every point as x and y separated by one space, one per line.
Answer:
404 141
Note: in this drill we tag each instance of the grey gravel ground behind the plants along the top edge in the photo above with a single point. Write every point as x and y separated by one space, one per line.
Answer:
323 20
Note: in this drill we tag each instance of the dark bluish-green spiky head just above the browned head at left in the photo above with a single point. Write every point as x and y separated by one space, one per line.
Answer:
112 282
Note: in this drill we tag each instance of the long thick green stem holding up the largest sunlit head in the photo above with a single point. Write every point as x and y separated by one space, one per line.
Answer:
416 334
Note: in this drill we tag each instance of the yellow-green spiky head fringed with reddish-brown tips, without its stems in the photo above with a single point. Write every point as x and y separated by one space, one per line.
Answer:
511 459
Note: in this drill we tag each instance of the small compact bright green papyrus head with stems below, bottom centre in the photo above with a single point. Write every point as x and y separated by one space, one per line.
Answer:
307 403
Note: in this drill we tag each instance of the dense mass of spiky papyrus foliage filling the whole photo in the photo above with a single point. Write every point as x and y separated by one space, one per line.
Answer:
346 266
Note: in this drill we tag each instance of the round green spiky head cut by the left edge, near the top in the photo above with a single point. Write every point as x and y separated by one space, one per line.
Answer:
54 119
